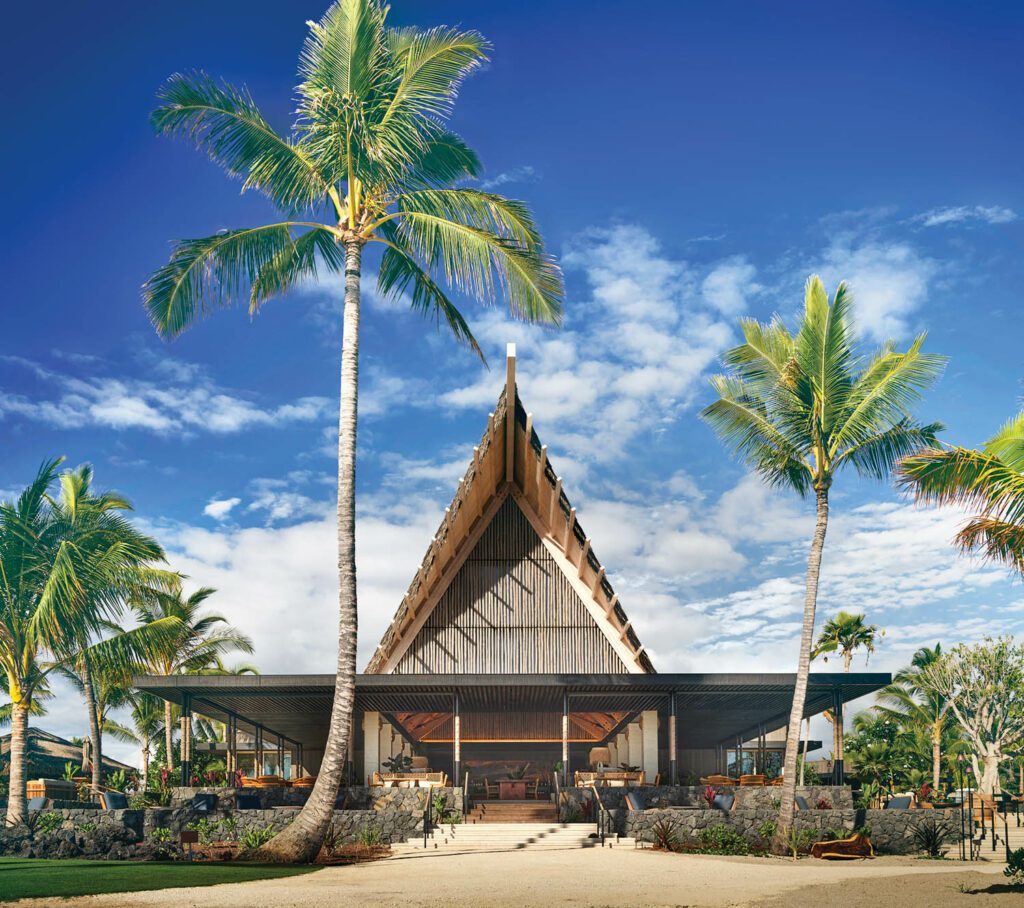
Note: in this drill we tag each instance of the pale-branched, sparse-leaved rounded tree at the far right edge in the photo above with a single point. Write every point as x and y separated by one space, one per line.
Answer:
985 686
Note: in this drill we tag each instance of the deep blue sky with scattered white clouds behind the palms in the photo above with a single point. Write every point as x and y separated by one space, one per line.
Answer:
689 163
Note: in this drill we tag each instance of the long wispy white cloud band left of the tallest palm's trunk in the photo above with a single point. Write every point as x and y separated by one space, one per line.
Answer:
188 403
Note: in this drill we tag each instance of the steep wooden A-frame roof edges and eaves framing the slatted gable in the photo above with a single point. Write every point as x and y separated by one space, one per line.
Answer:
511 463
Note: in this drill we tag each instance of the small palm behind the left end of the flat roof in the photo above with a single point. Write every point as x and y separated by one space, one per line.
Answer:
204 638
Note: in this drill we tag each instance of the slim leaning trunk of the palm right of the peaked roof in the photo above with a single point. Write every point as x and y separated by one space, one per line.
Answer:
788 807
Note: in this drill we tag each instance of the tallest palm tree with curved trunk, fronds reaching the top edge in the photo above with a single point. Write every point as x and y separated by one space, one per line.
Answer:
368 161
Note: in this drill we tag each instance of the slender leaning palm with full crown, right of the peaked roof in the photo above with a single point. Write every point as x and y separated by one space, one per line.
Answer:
798 410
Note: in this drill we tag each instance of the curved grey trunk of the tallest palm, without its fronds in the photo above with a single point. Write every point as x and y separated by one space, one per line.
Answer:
302 841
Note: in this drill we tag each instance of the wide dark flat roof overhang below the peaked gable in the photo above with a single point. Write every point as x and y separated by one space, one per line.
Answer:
711 710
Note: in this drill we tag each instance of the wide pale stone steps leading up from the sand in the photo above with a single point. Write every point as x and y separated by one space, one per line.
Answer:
497 837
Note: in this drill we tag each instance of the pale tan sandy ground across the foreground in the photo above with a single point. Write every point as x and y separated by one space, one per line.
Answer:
596 879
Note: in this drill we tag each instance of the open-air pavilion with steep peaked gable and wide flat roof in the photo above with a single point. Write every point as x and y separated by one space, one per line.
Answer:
511 647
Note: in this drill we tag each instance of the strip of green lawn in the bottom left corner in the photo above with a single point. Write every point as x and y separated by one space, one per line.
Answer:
38 879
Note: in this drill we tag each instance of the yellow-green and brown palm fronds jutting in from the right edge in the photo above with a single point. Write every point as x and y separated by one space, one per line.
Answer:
991 481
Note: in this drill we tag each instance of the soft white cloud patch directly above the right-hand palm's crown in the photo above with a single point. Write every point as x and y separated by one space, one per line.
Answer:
890 282
